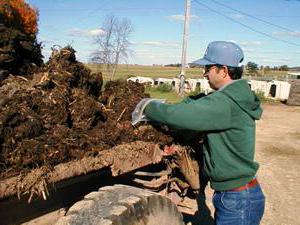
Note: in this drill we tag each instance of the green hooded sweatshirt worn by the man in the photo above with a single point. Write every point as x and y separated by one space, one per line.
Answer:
227 117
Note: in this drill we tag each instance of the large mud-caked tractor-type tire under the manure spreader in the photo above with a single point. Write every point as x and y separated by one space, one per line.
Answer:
122 205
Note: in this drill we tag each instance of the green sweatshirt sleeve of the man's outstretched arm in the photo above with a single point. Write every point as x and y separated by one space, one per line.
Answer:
212 112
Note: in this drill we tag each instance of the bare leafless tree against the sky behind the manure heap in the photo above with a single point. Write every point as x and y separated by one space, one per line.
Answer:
113 44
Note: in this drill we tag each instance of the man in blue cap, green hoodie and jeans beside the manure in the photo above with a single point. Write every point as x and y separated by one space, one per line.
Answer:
227 117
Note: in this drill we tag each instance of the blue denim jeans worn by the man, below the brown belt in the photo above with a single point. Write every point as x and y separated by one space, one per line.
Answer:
239 207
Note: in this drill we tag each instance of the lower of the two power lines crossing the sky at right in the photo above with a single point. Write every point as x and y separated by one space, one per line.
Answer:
247 26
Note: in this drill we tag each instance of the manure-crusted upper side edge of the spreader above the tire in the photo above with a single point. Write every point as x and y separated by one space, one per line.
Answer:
120 159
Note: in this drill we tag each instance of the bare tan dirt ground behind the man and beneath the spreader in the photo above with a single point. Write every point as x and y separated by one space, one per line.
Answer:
278 152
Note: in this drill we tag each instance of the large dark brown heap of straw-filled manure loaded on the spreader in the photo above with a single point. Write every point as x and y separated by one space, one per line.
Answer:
61 114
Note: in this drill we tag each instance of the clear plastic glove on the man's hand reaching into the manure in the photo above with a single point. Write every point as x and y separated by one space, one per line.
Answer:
138 113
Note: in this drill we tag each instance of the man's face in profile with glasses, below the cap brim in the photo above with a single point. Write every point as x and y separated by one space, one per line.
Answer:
214 75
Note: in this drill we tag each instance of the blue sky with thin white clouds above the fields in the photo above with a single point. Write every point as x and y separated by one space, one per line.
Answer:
268 31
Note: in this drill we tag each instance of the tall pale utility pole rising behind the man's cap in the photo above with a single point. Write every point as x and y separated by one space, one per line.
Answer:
184 46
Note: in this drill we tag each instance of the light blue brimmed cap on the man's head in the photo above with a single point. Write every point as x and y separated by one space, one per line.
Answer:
222 53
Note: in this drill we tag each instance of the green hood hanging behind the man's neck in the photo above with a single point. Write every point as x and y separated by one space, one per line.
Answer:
240 92
